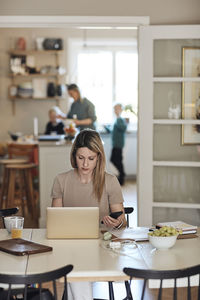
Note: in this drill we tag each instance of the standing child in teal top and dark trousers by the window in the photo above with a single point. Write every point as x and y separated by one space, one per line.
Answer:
118 141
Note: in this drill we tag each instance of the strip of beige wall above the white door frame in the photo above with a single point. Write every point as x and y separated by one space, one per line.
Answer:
160 11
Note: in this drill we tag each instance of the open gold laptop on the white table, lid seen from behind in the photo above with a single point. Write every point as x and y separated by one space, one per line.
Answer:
72 222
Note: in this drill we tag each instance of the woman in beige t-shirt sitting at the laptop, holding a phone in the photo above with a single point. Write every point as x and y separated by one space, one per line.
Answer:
87 184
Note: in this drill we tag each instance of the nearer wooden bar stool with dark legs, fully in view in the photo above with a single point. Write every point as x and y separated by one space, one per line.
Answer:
25 186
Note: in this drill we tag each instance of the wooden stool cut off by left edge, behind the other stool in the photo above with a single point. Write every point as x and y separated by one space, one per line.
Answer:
5 162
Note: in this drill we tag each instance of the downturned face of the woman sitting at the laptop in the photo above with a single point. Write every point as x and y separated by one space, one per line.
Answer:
86 161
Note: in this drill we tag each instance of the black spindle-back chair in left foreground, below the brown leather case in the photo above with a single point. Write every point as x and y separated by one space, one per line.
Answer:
30 293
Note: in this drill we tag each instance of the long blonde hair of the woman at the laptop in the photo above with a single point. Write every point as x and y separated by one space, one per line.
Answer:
91 139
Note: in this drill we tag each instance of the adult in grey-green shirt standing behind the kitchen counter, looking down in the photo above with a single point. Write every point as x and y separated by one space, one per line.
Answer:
82 111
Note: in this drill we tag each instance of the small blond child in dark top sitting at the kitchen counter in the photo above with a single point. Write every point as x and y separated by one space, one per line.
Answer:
54 125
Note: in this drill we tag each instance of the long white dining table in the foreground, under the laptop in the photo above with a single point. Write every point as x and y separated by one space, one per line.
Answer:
92 262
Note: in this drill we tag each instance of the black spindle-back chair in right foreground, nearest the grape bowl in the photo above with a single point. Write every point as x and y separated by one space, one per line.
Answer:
161 275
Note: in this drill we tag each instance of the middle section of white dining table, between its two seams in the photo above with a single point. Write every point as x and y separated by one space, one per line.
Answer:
91 261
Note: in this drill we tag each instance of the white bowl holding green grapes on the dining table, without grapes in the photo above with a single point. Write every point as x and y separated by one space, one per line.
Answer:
163 242
